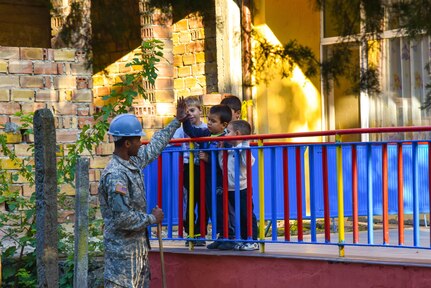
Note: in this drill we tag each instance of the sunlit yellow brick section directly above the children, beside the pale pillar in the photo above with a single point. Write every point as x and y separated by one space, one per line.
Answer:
195 63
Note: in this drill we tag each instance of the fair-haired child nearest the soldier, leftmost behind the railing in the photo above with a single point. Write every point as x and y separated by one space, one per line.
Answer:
194 110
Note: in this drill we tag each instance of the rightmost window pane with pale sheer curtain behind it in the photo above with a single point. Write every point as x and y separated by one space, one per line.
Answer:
403 81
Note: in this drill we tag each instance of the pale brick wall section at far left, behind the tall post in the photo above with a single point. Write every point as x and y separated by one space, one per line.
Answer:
36 78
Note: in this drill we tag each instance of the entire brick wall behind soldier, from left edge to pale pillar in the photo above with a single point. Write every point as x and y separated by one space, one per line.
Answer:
61 80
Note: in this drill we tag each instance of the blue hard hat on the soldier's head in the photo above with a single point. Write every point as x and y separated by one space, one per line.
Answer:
125 125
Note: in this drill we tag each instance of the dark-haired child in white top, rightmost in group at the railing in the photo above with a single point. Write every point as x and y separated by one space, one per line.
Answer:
236 128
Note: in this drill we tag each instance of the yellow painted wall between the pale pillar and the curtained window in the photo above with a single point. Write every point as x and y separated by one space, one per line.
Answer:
293 104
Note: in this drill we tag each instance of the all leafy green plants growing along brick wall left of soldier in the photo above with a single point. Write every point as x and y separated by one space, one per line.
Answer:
18 225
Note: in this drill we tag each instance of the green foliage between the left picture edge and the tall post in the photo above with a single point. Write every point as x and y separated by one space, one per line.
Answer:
18 225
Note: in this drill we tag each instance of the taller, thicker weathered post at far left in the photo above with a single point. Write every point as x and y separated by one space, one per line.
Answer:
46 199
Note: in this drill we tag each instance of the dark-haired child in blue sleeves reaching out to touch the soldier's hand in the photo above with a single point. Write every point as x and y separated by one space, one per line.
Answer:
218 119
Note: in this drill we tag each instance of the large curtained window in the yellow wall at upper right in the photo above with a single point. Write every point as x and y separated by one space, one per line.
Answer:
400 65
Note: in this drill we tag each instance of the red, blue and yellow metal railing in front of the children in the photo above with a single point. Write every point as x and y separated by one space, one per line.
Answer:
304 183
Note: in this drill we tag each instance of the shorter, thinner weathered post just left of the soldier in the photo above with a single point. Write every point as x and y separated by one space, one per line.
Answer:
81 224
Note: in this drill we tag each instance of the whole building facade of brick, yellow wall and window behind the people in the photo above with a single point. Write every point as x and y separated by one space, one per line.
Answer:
208 50
